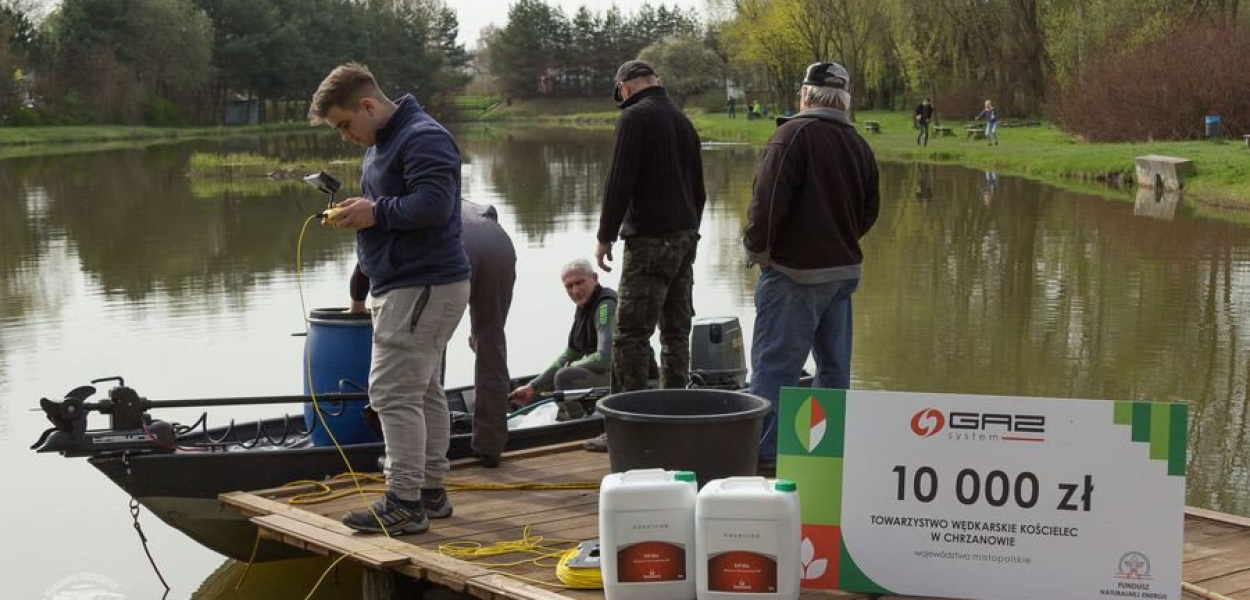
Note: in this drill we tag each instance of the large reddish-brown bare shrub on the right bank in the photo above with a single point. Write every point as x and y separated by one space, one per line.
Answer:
1163 91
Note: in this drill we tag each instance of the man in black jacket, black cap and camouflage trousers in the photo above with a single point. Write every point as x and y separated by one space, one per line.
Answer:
654 199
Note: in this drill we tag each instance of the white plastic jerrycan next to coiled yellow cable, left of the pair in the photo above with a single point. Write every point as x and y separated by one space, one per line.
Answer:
647 536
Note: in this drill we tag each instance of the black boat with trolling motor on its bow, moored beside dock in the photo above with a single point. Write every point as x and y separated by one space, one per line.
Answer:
178 472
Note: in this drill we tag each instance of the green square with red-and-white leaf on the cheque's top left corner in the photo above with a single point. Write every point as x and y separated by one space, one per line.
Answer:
812 423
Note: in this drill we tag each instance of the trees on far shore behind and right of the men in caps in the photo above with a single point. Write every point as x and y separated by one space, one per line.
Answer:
1031 57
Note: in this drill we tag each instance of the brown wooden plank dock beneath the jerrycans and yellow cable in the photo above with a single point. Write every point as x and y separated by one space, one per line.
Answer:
1217 546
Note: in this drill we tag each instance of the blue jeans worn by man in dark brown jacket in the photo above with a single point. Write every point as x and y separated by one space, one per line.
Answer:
793 321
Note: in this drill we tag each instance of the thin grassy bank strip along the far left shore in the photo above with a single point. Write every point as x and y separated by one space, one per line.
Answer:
99 134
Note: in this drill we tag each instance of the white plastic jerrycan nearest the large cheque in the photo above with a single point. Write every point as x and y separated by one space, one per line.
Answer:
747 533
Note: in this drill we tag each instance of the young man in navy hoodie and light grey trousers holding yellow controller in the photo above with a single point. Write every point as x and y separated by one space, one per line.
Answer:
408 243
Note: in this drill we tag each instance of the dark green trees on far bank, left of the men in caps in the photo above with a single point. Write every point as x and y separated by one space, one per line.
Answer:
181 62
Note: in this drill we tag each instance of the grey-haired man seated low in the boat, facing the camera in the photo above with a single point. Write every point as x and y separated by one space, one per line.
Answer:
587 362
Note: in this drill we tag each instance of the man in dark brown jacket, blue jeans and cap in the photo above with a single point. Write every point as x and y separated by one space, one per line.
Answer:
816 196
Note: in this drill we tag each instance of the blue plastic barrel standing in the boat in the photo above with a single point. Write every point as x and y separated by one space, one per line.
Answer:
339 347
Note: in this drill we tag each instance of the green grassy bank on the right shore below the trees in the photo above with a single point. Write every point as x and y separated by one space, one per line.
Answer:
1043 153
